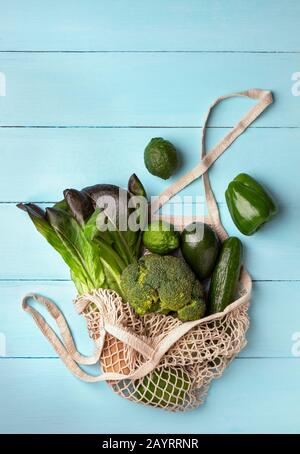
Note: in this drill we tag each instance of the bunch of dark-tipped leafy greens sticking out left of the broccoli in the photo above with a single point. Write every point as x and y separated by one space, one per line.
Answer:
96 245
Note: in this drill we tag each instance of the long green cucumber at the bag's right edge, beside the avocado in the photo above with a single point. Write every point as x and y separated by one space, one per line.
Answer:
226 275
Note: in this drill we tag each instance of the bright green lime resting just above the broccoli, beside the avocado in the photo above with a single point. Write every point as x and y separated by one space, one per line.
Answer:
161 238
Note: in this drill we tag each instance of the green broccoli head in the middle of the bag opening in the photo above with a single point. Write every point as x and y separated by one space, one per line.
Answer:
163 284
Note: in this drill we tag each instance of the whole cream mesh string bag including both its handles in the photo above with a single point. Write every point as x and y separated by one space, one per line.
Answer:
156 359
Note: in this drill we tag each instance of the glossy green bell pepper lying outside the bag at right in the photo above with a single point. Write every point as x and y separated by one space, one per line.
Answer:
249 204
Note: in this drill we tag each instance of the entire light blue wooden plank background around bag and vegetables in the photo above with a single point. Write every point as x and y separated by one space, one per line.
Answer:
88 83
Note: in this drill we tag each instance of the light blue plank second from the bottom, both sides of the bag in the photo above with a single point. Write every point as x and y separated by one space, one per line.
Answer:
275 315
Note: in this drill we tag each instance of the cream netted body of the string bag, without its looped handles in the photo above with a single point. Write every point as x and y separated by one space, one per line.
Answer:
179 378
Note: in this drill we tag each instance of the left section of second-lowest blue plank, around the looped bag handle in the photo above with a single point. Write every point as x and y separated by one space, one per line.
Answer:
21 334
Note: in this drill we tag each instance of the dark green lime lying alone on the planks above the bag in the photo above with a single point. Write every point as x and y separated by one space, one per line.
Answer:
160 157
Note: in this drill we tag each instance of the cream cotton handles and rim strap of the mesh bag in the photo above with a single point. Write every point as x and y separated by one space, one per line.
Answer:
65 346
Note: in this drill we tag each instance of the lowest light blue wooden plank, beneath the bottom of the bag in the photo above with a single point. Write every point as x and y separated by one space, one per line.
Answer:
40 396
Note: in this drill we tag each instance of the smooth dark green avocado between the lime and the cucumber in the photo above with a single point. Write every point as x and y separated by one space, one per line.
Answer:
200 248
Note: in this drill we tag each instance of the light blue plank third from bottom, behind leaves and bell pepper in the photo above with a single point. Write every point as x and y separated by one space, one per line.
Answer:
272 253
